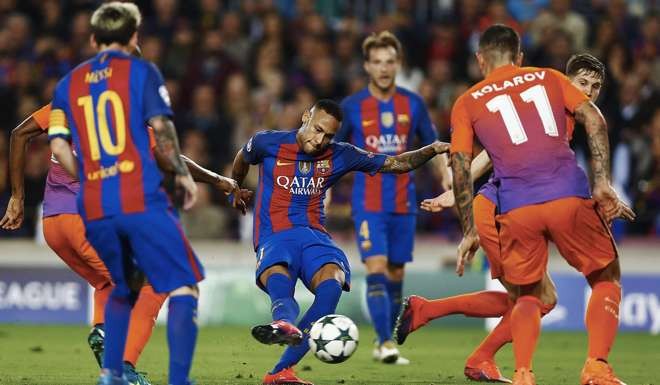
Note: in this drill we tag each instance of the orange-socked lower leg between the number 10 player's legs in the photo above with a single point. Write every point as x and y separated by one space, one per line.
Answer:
143 320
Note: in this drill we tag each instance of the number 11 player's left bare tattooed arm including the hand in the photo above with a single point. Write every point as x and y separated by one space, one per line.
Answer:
463 191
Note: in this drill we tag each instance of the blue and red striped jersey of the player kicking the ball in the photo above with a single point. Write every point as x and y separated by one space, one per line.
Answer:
292 184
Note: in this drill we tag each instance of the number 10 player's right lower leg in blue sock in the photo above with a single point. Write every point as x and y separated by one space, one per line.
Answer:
182 332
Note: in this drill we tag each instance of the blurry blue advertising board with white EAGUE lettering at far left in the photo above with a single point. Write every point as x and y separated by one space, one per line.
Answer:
43 295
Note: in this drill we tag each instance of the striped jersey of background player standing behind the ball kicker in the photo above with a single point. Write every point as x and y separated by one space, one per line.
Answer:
385 127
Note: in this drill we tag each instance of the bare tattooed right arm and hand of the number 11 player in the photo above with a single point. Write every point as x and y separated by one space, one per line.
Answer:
608 201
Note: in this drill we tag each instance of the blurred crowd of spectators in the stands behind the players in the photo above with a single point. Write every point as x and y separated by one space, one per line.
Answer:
235 67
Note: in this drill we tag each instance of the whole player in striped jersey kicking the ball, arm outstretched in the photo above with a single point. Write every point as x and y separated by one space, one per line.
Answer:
295 170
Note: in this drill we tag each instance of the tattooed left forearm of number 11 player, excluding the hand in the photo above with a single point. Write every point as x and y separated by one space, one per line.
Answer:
460 166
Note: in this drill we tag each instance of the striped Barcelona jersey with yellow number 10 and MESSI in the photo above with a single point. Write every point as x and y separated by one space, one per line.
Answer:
103 106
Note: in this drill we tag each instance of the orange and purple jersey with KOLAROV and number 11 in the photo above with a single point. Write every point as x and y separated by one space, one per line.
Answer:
519 116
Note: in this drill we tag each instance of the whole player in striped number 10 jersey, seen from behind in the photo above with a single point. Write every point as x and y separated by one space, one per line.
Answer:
103 107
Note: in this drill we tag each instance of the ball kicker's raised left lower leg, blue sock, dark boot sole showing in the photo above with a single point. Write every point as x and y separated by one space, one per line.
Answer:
284 308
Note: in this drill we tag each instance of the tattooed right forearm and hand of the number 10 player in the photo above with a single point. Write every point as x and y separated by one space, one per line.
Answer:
168 146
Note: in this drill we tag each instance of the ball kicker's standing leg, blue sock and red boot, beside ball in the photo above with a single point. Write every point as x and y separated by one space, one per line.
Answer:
327 294
